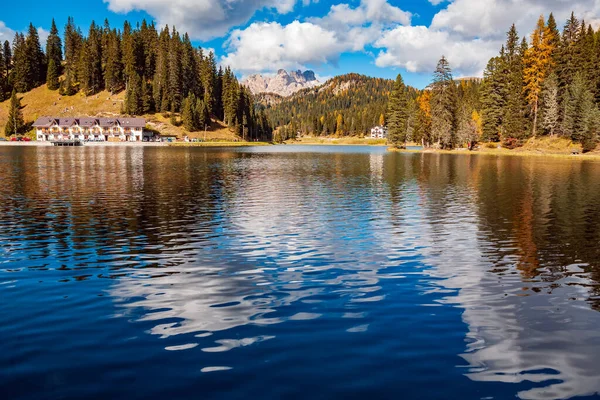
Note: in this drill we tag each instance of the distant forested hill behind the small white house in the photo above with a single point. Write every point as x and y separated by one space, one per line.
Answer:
345 105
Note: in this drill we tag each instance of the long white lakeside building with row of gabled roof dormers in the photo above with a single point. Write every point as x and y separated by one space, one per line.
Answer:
93 129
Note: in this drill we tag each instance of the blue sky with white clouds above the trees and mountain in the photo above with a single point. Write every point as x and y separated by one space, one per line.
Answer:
379 38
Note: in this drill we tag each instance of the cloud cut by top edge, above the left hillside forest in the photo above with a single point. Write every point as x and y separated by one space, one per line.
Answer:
202 19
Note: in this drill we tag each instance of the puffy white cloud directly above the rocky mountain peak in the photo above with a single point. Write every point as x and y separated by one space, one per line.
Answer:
269 46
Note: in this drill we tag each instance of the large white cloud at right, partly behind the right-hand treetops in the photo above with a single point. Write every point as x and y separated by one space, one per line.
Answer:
469 32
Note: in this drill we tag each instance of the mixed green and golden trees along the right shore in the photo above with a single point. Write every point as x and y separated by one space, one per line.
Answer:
548 85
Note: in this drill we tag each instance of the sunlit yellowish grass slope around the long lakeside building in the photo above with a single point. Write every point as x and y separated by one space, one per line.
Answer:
41 102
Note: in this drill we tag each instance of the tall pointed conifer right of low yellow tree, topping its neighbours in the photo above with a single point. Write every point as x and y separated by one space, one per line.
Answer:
443 102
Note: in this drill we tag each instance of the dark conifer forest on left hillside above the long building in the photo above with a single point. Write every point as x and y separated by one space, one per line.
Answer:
159 71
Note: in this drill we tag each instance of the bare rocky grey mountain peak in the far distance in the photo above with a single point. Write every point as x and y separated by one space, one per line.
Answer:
283 84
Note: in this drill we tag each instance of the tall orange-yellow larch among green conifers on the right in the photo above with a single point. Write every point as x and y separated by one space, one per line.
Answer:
538 59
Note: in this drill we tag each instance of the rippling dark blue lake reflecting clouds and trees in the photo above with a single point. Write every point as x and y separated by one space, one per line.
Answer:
296 272
